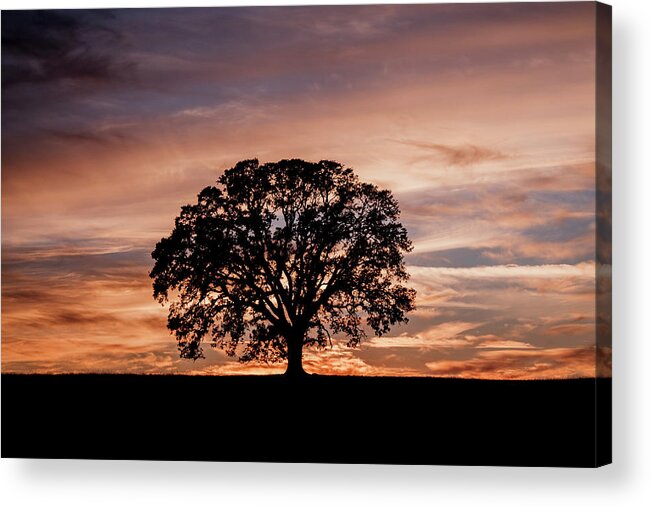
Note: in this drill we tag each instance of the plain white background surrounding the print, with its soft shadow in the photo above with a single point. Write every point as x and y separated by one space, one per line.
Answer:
626 482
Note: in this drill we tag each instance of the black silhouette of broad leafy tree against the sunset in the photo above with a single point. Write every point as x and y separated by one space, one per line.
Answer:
281 256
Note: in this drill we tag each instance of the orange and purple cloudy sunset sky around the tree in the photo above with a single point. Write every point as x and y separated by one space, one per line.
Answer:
480 118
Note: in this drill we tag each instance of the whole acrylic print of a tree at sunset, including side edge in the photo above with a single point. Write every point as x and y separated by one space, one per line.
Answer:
347 234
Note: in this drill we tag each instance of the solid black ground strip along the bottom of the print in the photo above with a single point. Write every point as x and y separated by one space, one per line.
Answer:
319 419
